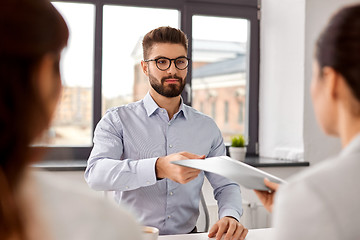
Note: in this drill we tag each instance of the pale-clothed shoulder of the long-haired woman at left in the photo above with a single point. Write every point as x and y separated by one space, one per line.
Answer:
76 212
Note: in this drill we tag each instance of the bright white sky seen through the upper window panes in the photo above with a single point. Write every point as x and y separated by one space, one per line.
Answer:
122 29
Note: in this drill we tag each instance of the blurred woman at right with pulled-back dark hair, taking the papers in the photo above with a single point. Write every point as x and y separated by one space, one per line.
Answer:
324 201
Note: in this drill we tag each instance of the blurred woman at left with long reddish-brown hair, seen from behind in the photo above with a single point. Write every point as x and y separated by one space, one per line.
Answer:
36 205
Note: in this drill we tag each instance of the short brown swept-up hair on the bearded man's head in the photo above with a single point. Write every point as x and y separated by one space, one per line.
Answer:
163 35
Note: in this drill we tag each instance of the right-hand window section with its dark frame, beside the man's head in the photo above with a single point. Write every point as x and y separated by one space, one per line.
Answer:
222 70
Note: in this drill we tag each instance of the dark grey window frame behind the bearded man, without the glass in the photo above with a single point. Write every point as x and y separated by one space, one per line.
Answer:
247 9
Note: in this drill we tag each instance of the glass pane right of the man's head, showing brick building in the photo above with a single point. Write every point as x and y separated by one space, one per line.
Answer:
220 71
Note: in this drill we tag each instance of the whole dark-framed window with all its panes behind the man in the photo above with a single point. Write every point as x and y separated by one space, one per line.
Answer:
100 67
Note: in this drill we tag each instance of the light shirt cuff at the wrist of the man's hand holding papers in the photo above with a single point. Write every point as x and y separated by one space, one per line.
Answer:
146 172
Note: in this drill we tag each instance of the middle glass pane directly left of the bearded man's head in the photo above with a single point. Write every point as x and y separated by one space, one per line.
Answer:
122 78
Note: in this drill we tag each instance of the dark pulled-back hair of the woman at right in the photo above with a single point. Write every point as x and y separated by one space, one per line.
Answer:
338 46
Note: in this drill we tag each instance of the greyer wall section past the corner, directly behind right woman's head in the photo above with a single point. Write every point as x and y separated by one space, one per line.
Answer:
317 145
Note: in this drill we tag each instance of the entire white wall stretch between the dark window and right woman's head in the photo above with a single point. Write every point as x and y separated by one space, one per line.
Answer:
288 33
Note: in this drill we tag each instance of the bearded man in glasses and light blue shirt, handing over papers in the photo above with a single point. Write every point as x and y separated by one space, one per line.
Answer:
135 144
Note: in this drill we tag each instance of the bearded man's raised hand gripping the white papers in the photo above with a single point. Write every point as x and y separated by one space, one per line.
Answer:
165 169
